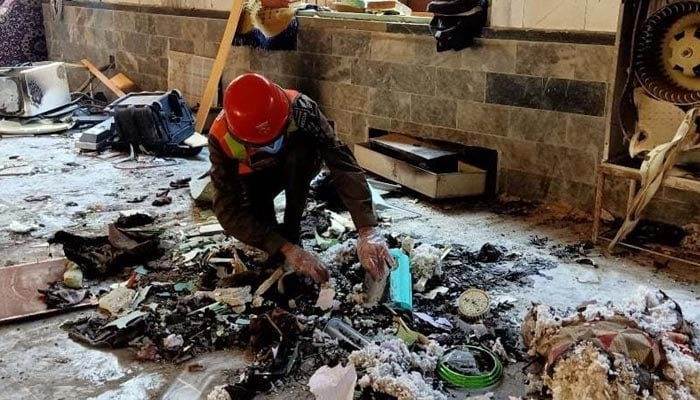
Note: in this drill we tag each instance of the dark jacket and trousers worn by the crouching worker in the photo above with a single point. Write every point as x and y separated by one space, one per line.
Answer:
244 203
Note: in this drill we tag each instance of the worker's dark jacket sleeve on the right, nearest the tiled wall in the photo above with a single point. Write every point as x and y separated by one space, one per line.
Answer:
348 177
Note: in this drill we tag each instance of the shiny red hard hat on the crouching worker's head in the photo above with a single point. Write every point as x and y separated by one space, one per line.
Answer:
256 109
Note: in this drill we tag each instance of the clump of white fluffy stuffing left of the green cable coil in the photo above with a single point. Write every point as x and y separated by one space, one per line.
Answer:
386 369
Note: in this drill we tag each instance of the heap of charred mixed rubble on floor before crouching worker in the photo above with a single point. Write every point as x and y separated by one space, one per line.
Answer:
186 294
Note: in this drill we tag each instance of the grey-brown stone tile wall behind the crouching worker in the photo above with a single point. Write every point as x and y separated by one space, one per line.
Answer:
536 98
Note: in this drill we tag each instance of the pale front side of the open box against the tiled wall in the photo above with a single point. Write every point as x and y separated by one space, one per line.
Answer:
468 181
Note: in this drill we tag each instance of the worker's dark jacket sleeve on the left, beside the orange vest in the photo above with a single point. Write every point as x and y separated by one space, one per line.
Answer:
232 204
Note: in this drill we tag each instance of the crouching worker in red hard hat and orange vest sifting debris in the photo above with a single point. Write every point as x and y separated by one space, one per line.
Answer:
268 139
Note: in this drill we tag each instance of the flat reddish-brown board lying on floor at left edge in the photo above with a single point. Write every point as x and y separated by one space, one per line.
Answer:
19 285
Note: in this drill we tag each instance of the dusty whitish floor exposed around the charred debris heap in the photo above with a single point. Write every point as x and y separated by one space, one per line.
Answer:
39 361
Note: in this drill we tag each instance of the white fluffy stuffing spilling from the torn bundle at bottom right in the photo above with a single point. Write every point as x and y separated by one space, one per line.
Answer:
593 373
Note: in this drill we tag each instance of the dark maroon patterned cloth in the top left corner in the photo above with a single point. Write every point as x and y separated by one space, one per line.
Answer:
22 37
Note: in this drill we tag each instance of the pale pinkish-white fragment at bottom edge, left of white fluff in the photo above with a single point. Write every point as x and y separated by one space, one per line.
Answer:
337 383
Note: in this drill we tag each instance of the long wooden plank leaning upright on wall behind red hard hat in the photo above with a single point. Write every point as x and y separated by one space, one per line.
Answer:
219 63
